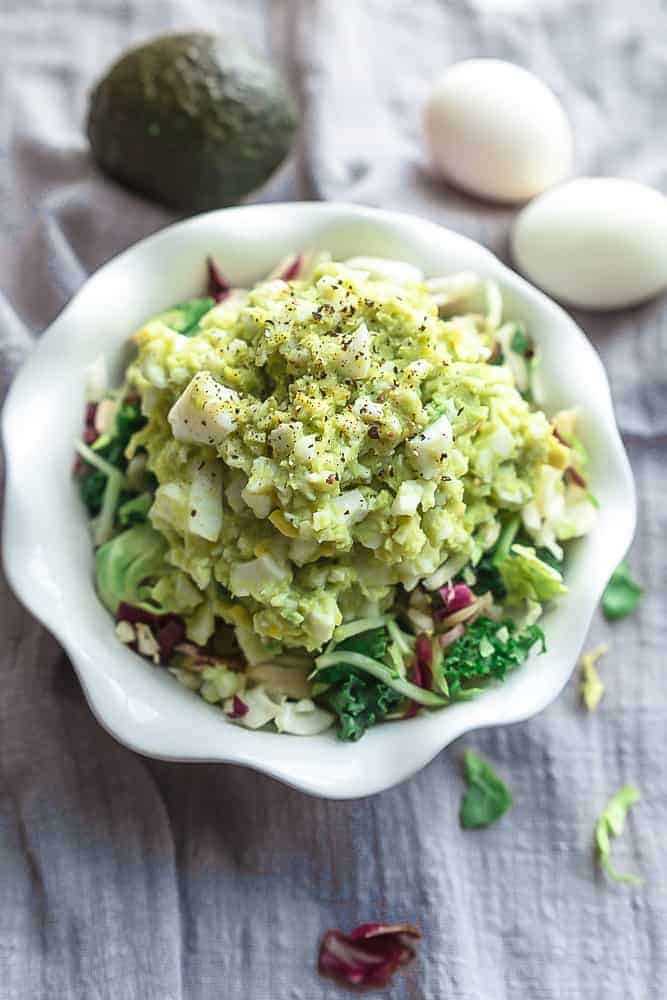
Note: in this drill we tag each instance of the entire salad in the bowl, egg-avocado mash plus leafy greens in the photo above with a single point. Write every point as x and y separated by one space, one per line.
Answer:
331 499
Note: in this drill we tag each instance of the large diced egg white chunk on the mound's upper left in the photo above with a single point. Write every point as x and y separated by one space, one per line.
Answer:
204 413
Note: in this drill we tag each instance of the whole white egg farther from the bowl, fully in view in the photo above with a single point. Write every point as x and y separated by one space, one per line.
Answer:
497 131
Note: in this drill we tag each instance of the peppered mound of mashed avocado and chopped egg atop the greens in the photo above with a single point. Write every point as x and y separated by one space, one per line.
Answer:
318 442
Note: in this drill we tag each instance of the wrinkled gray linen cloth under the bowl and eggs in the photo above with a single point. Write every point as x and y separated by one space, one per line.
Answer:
126 879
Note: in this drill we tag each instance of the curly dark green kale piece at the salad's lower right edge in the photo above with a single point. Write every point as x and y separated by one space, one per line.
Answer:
487 650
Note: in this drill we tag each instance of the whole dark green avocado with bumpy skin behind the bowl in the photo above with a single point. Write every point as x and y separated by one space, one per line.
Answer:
194 121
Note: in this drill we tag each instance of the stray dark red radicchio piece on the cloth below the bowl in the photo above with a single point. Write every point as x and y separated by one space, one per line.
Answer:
367 956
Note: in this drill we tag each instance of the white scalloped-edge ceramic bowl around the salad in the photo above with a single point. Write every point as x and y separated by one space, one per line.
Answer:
47 552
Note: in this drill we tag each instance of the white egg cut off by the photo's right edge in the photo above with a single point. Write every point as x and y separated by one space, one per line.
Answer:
595 242
